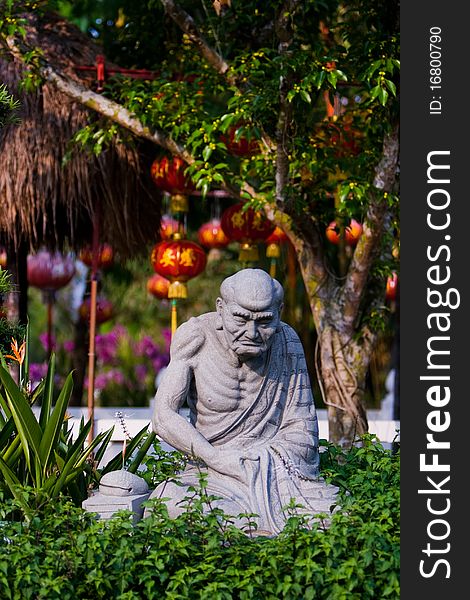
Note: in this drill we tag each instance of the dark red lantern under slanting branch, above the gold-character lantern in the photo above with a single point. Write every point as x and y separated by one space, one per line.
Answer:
168 175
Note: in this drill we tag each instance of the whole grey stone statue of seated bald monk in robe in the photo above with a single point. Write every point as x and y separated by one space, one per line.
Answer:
253 422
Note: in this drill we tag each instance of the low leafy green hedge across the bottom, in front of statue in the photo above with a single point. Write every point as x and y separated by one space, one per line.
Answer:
66 553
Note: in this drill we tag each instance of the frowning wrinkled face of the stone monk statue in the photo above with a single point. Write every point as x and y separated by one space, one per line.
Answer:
249 333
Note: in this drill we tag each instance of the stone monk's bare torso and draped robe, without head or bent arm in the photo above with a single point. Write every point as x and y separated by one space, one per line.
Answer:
268 415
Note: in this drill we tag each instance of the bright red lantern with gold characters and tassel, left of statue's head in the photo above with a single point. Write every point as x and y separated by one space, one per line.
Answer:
178 260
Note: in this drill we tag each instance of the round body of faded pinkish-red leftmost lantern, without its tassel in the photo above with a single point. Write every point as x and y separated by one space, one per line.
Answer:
49 271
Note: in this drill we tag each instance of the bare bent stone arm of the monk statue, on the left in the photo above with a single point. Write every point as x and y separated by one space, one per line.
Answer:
172 392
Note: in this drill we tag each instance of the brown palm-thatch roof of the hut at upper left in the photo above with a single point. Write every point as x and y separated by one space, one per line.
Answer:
44 202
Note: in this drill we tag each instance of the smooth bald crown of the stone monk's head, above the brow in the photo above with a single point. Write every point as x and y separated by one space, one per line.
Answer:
253 289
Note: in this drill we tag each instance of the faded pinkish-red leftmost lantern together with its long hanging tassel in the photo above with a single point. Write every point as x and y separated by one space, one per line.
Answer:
49 271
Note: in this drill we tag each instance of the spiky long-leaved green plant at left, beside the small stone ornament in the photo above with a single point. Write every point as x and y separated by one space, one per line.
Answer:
39 458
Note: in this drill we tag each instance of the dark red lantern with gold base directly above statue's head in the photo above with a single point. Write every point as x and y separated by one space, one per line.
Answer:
246 227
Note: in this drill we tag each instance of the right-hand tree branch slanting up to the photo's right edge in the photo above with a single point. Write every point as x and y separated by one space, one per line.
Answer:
356 279
